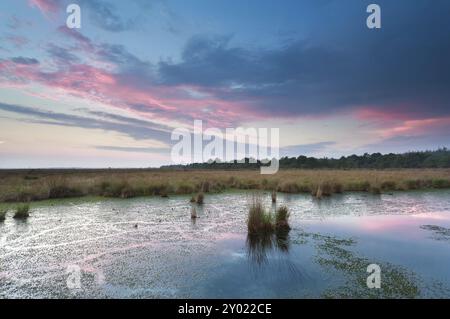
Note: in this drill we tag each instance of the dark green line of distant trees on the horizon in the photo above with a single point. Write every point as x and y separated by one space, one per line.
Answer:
426 159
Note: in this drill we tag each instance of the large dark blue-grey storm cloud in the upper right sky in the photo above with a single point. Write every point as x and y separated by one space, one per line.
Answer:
403 66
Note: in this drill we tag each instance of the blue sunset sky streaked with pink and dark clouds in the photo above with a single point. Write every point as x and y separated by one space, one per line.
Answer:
111 93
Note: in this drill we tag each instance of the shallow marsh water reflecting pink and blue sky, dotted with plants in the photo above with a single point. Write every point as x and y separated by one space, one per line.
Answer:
150 248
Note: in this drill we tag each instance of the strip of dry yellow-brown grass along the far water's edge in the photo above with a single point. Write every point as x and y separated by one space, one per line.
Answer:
25 186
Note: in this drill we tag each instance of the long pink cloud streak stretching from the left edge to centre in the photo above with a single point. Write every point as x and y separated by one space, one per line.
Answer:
99 85
